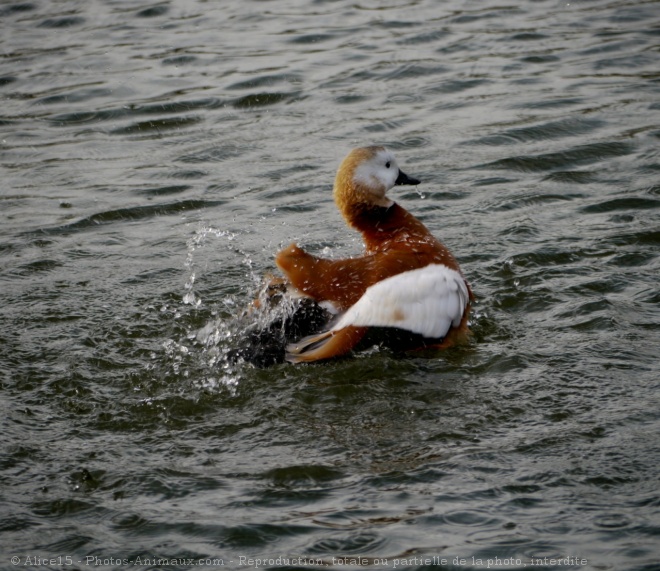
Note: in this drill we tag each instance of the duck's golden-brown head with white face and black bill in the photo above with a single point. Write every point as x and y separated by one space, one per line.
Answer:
365 176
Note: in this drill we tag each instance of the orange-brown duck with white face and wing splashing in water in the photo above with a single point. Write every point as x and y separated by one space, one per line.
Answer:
406 281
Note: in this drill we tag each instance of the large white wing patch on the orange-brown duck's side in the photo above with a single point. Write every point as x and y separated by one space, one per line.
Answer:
427 301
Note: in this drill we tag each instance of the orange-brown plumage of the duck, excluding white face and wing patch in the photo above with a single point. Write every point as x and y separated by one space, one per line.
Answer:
395 242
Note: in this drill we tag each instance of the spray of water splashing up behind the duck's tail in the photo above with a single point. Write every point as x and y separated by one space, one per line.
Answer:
242 329
